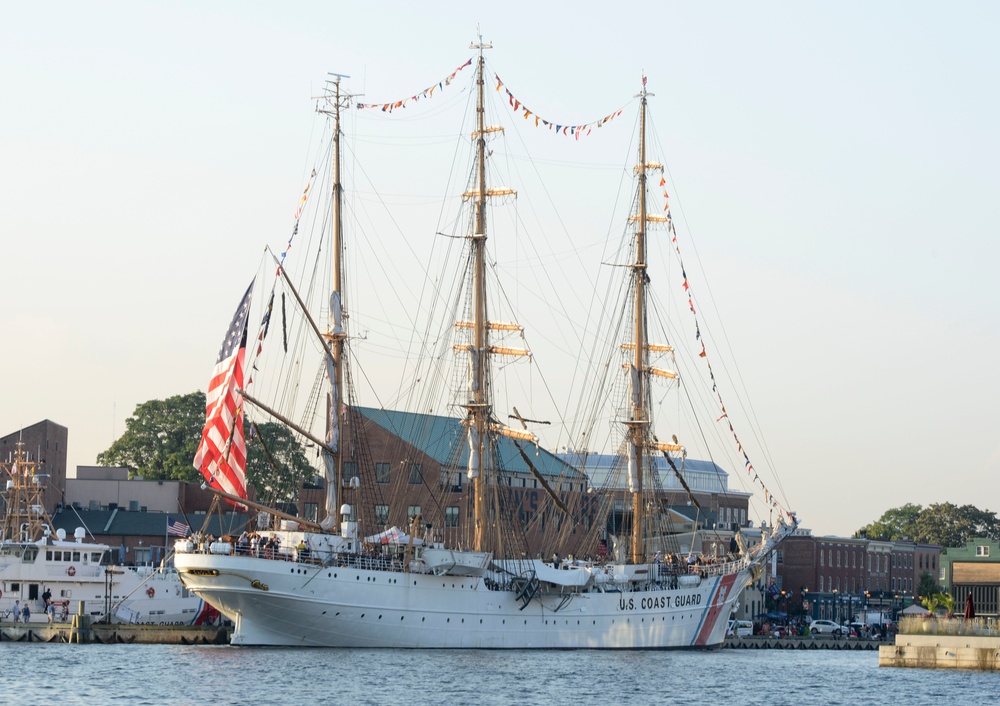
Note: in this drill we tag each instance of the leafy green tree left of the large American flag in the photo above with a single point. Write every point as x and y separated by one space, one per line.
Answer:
160 439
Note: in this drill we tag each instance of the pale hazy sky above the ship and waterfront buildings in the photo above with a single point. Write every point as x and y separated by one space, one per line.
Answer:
835 163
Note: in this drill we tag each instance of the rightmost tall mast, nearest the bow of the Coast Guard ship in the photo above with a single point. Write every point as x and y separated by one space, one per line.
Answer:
640 441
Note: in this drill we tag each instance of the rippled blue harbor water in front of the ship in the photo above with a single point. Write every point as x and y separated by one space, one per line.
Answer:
51 673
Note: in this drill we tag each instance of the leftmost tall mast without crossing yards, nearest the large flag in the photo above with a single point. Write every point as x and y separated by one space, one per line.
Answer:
335 334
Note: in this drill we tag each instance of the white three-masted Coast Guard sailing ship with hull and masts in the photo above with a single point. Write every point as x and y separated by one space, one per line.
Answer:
325 587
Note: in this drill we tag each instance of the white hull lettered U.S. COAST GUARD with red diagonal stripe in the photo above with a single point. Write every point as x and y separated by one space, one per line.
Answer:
295 604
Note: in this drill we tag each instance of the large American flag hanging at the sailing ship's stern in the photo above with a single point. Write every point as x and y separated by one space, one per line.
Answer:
222 453
